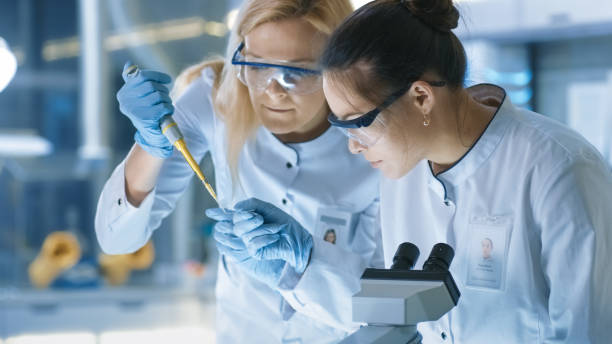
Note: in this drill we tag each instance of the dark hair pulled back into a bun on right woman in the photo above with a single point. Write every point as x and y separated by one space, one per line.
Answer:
387 44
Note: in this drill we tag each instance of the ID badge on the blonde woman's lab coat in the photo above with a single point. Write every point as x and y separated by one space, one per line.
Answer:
334 225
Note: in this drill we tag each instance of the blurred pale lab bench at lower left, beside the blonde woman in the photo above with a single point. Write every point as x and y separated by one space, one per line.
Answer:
103 310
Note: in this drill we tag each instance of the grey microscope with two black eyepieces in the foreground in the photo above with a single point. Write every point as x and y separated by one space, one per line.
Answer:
392 302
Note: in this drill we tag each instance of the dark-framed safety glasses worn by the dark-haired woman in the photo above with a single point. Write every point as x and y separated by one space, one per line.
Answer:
368 128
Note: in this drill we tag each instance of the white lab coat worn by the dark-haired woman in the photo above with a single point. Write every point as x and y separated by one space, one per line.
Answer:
543 195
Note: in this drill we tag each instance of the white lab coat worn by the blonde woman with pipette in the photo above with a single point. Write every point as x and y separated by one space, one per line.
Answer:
297 178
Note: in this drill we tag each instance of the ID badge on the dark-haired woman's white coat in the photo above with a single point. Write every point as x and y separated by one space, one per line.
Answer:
488 251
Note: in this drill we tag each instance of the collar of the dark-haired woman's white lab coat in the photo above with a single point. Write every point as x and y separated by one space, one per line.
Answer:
486 144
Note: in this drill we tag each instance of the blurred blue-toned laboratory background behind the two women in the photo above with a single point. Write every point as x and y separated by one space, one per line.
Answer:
61 134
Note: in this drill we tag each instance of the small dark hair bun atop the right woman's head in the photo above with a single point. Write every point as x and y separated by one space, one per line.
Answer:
440 15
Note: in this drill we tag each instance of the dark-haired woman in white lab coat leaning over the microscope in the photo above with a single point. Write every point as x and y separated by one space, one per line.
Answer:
461 164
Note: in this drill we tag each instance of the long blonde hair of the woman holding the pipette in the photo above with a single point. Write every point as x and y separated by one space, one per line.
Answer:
231 99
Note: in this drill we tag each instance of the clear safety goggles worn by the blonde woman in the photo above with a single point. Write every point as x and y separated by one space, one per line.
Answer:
257 74
